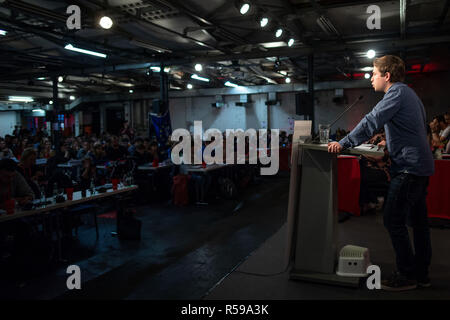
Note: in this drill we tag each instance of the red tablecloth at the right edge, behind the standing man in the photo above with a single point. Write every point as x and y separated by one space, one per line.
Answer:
438 199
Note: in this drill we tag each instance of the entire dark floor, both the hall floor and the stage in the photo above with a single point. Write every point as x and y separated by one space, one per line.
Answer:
199 252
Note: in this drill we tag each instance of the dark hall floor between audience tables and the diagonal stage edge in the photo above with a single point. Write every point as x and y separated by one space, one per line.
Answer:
183 252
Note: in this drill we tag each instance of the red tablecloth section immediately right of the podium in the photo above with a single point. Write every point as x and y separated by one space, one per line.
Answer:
349 179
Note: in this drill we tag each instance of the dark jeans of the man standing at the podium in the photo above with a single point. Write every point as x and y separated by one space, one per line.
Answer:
406 201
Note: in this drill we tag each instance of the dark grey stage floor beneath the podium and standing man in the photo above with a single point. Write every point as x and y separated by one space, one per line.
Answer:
366 231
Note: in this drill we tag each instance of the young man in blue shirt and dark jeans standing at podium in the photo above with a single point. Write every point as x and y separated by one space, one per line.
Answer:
403 116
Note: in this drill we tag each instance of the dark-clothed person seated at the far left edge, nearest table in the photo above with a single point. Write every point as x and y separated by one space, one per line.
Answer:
13 184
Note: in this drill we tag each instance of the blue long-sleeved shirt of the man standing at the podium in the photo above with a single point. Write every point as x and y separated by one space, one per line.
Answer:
403 116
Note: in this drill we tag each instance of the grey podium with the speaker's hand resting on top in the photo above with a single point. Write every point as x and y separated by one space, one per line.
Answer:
313 214
